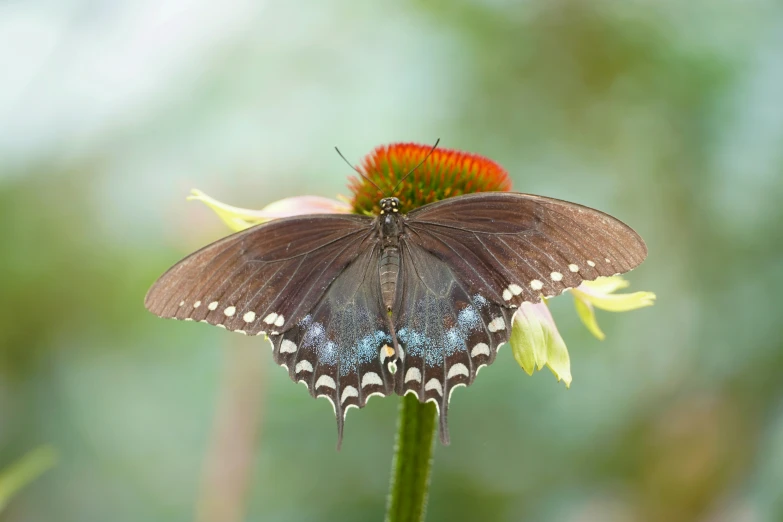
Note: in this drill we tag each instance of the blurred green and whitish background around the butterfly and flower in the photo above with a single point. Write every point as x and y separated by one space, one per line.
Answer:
664 113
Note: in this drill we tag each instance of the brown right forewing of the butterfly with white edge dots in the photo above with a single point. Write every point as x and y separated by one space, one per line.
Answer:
511 247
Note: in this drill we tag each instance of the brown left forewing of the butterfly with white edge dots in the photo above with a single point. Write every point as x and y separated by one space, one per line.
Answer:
263 279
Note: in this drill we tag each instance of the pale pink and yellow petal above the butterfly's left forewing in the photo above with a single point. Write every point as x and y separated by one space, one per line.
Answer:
241 218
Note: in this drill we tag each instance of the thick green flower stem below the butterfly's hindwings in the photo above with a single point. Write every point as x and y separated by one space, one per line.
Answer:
412 463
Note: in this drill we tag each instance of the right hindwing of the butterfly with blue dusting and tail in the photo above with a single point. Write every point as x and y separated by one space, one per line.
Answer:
446 330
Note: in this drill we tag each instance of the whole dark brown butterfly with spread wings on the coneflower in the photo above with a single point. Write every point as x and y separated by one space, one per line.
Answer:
357 306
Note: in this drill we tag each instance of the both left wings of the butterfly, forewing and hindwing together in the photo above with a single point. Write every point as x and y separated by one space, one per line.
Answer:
311 284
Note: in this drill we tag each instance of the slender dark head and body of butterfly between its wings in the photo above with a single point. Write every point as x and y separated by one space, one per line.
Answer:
390 229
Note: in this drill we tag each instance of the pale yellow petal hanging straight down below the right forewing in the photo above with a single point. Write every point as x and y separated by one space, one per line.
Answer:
536 342
